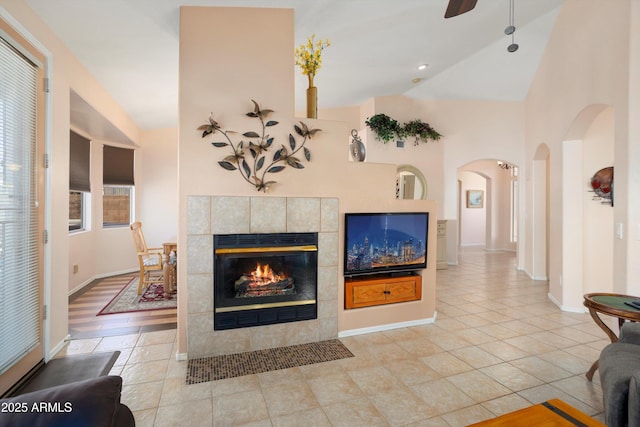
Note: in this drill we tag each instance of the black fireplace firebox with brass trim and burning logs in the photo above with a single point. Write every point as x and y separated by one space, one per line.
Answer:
262 279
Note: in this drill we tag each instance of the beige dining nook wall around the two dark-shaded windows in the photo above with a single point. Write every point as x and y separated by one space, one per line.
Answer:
102 252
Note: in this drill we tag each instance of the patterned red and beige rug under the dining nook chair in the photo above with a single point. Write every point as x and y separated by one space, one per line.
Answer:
128 300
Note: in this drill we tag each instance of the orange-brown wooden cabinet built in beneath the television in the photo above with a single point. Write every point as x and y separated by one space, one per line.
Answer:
381 289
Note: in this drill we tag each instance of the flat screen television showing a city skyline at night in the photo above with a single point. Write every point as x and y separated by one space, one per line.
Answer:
385 242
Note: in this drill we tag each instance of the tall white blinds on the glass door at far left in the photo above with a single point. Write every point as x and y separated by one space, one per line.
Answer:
19 243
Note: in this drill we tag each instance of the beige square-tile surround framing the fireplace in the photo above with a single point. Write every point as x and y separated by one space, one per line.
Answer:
209 215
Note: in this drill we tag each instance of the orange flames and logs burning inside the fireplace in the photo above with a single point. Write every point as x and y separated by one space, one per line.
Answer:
263 281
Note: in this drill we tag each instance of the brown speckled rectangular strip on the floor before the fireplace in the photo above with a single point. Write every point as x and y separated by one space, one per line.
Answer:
254 362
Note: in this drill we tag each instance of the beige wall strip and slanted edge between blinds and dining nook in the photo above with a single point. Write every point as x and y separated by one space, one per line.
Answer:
66 73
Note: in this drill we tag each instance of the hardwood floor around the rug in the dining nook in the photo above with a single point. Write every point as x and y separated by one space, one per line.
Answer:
85 305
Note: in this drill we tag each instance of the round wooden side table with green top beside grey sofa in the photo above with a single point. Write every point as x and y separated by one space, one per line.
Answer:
610 305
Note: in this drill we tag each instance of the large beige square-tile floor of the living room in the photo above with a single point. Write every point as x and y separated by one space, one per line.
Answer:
498 345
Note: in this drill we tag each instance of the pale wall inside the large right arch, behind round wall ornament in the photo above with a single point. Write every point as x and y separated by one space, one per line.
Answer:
589 145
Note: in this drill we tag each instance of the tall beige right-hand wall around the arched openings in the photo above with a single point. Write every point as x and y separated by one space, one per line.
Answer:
582 68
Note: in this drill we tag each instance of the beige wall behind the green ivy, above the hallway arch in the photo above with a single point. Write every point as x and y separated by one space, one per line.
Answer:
472 131
